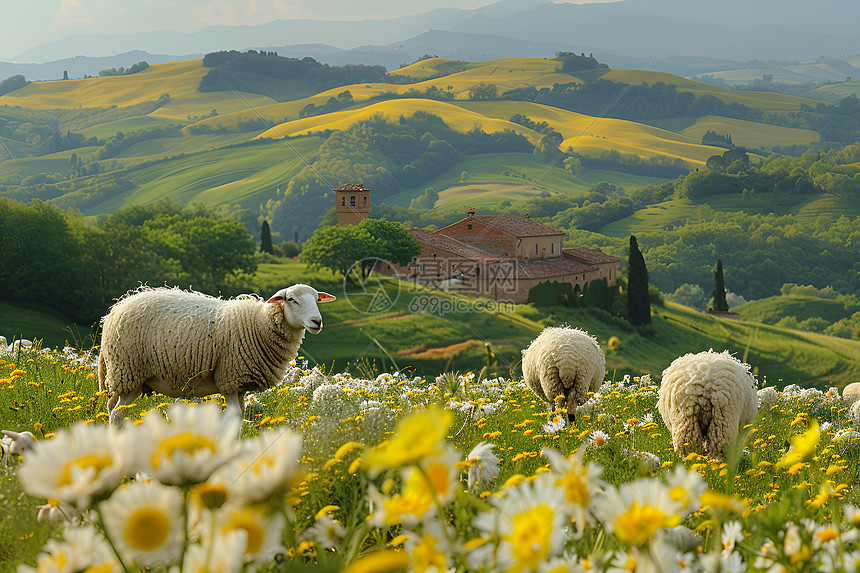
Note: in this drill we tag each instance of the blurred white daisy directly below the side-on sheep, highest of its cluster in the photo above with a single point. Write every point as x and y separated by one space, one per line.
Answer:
189 448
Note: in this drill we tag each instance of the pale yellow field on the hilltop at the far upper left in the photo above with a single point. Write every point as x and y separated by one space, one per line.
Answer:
179 79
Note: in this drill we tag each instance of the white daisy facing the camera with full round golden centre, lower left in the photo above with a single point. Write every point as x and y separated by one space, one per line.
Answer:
143 521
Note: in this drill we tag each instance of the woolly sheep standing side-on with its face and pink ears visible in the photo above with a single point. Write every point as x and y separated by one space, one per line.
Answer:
185 343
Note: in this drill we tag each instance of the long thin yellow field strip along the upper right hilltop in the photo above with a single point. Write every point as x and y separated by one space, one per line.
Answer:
755 100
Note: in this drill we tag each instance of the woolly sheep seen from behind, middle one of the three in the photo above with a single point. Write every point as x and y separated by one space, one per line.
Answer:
563 361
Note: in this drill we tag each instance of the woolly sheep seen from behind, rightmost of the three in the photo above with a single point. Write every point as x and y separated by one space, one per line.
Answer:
707 398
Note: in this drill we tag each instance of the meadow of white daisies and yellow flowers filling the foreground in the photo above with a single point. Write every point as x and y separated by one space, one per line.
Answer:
392 472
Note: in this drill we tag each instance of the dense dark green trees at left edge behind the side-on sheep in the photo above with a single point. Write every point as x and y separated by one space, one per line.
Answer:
55 259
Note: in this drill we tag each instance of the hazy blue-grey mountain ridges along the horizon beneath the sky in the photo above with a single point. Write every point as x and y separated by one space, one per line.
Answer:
680 36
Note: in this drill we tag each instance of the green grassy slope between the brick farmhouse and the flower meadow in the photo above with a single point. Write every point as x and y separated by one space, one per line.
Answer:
417 332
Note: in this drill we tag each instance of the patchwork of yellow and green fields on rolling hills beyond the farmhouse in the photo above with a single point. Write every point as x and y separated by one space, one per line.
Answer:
232 153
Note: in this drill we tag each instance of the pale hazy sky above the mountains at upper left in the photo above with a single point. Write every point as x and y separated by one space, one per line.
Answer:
25 24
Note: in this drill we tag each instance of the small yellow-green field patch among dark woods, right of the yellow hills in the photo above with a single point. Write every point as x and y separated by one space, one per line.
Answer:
751 134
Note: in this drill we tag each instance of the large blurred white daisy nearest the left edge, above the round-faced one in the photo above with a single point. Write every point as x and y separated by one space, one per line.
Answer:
84 462
